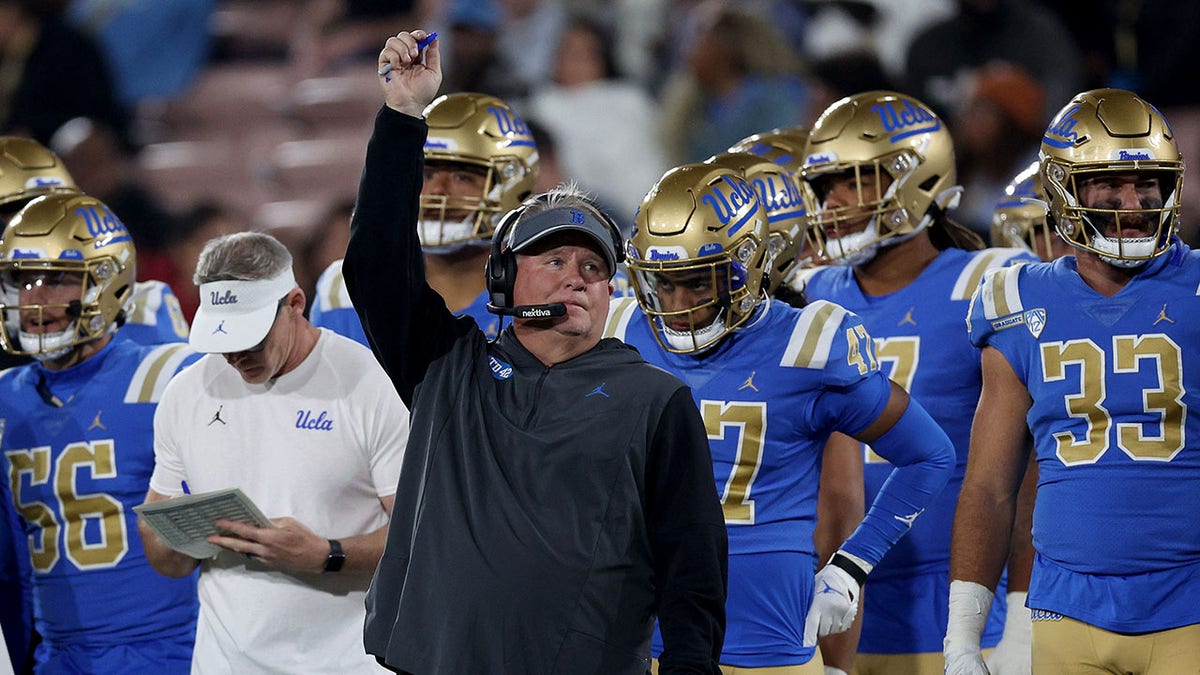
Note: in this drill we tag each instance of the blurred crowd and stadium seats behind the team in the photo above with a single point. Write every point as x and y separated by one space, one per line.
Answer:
196 118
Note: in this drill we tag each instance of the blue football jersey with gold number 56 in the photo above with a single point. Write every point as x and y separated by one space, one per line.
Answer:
75 474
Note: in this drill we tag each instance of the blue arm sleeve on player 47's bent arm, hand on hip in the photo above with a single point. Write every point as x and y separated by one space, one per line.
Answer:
925 461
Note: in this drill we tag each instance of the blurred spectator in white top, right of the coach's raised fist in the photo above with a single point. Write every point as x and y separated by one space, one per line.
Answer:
605 126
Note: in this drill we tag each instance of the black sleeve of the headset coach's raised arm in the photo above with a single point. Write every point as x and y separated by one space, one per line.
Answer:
406 322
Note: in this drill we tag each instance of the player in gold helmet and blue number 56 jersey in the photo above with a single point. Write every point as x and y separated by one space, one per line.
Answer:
77 443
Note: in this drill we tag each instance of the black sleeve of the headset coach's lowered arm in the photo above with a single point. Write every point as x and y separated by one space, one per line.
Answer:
689 541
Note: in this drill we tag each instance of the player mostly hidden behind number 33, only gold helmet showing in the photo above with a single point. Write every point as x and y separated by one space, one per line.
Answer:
1021 219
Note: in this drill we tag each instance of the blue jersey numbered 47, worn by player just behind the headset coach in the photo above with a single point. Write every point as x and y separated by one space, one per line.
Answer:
767 396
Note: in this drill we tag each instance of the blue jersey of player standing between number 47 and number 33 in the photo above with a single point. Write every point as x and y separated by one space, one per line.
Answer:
922 344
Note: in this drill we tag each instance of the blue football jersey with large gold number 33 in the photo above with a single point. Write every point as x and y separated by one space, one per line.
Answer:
1114 383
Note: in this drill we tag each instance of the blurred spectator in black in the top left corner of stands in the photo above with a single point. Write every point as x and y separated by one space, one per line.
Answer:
53 74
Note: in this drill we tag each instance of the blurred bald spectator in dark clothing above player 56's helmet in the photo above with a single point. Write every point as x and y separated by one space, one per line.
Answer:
104 169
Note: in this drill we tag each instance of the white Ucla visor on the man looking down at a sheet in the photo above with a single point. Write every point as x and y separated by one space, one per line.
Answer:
236 316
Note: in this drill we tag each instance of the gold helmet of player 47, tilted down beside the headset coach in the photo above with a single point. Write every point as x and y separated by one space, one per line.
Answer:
698 256
